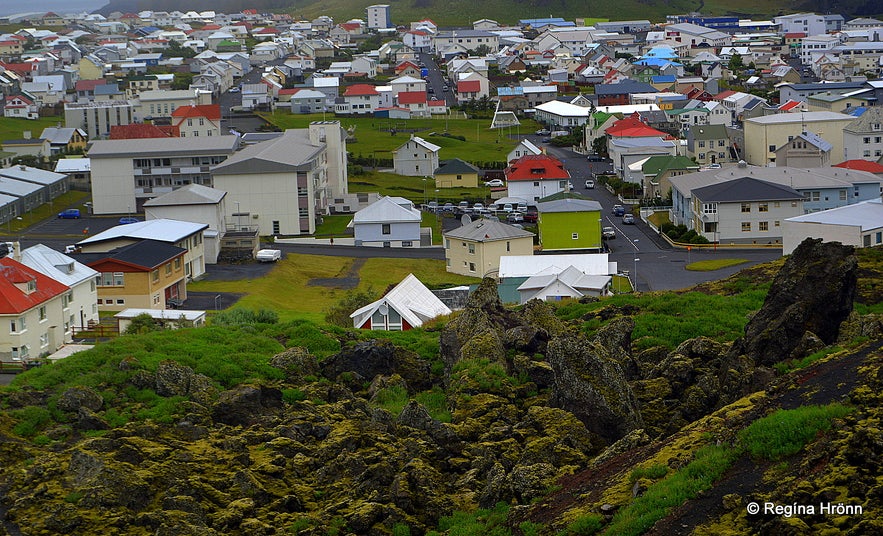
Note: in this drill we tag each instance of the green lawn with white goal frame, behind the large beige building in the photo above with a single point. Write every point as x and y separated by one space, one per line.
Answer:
372 138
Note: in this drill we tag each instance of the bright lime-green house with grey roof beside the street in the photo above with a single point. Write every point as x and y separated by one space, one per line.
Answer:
569 221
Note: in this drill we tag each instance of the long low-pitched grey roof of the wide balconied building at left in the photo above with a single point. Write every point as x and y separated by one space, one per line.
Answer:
163 147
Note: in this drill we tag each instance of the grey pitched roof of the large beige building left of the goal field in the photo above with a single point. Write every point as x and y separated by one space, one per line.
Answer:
290 151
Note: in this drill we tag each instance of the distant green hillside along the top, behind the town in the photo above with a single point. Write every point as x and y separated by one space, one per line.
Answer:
463 12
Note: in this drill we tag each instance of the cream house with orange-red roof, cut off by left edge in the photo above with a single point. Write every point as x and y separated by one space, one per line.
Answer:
34 312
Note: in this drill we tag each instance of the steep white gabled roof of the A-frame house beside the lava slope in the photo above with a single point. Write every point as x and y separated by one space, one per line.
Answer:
410 298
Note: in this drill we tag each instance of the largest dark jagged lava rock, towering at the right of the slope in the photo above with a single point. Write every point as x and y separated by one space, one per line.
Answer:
813 292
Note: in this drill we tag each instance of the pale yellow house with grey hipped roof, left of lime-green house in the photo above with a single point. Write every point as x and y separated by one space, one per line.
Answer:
475 248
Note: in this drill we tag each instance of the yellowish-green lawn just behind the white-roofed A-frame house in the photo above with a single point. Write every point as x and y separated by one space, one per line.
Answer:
285 289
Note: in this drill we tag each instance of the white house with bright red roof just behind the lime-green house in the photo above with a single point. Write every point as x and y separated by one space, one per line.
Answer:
534 177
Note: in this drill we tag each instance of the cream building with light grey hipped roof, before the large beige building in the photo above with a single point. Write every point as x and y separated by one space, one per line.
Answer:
197 204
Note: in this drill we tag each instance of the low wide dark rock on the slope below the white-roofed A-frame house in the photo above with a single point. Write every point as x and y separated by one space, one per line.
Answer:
379 357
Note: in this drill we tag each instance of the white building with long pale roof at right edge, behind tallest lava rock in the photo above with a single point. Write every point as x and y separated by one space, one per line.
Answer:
859 225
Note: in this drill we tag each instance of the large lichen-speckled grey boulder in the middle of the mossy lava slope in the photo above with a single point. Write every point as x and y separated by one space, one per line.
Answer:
590 384
